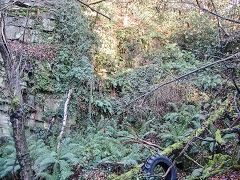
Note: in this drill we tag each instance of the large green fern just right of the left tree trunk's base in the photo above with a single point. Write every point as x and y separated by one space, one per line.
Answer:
53 165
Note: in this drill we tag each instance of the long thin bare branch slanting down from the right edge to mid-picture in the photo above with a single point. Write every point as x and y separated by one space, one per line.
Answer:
237 55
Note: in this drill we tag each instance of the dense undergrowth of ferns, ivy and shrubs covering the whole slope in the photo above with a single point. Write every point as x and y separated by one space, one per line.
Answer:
144 57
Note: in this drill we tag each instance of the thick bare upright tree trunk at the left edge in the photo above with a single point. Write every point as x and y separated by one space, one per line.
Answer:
16 115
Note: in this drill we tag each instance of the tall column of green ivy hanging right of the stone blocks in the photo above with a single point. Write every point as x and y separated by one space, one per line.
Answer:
73 66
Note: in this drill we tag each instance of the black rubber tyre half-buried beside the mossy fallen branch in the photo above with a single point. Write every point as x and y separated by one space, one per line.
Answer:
162 161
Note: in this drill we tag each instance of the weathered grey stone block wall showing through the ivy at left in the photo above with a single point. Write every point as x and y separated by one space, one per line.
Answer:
41 21
